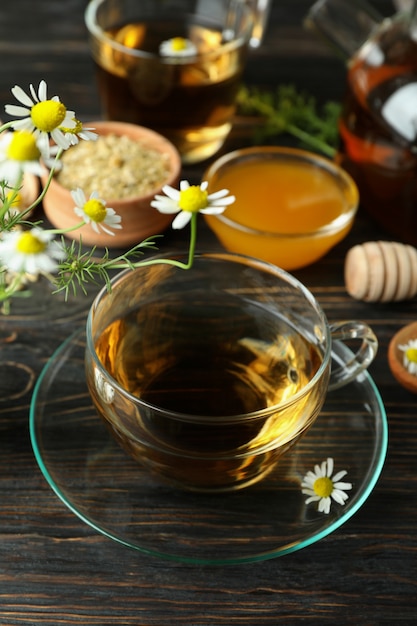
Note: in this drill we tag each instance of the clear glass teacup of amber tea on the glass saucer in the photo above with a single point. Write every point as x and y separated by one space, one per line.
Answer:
208 376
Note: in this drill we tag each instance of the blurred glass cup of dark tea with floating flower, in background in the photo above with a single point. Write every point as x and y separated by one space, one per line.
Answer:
188 98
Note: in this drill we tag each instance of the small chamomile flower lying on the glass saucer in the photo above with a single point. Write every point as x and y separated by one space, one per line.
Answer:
322 487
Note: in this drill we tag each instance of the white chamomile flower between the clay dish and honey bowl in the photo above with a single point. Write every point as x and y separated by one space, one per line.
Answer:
191 199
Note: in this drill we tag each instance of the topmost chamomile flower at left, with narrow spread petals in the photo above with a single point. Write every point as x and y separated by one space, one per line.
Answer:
42 116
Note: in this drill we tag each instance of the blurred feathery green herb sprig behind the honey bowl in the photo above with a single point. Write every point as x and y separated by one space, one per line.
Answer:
288 110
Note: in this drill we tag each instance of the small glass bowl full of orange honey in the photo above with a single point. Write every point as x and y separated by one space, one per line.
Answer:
292 206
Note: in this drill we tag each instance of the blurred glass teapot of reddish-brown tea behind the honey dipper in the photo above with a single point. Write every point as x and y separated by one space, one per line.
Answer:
378 124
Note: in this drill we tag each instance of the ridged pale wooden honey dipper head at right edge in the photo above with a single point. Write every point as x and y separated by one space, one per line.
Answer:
381 271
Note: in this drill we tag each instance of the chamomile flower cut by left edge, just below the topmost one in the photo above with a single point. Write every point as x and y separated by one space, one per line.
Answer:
19 153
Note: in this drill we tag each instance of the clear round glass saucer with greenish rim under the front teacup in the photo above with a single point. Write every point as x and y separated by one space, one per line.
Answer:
120 499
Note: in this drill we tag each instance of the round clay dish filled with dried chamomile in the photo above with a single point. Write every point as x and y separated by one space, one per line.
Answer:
127 165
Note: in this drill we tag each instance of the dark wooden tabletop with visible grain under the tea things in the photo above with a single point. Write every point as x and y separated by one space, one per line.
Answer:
56 570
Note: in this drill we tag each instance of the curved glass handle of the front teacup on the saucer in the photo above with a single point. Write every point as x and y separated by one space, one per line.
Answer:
347 331
